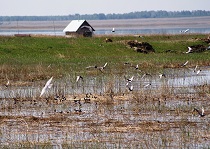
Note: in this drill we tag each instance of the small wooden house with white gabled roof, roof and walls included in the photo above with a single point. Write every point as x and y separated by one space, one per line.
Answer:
79 28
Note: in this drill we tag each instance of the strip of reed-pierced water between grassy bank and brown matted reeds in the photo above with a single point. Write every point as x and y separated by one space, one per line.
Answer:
177 79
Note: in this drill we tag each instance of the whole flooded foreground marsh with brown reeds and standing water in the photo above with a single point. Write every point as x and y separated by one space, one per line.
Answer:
160 115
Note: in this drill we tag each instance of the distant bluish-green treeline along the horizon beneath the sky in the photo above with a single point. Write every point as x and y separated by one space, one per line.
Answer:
102 16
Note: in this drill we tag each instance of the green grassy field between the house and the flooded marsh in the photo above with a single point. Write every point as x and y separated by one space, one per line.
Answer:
20 55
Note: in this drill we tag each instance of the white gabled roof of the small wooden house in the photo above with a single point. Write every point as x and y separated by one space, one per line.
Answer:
74 25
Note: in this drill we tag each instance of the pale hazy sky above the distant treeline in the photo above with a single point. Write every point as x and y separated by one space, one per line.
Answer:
66 7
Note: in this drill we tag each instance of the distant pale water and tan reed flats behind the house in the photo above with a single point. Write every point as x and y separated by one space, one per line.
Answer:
104 27
